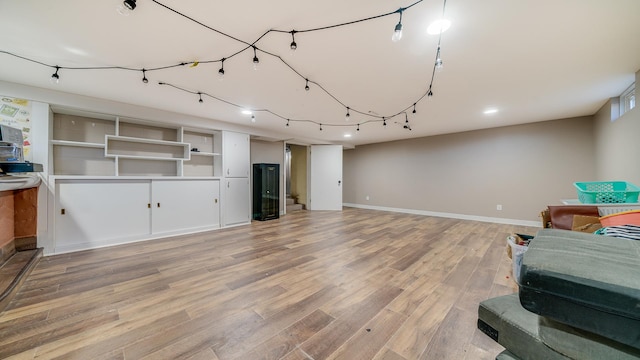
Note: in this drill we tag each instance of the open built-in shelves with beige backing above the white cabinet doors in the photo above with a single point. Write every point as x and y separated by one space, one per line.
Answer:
105 145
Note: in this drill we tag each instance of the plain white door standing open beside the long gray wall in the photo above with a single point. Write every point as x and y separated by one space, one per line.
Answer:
325 178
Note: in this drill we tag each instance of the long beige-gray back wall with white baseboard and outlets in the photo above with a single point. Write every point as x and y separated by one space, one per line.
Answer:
524 168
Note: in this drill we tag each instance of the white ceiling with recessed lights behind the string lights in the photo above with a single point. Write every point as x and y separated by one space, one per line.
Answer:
534 60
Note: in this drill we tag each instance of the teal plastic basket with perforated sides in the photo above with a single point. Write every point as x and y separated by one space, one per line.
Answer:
607 192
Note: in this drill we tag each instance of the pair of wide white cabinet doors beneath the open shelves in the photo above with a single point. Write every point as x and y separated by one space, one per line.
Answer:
97 213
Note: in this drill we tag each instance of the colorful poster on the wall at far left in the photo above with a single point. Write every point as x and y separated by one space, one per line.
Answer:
17 114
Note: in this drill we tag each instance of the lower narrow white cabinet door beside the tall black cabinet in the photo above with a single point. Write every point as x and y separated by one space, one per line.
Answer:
237 201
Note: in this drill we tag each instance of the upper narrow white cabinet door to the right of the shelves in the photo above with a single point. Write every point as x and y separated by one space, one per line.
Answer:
236 154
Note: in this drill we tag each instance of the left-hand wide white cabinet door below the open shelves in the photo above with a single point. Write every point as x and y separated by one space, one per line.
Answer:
95 213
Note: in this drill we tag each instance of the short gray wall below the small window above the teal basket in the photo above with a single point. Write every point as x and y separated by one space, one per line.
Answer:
618 144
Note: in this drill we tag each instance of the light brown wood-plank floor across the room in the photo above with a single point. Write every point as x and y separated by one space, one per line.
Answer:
356 284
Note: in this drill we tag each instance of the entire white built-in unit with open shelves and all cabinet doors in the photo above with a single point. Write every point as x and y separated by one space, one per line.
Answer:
115 180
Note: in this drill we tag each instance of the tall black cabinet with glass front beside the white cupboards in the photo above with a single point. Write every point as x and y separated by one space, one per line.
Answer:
266 191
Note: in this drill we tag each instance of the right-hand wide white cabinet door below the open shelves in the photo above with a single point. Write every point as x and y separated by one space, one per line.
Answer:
179 205
